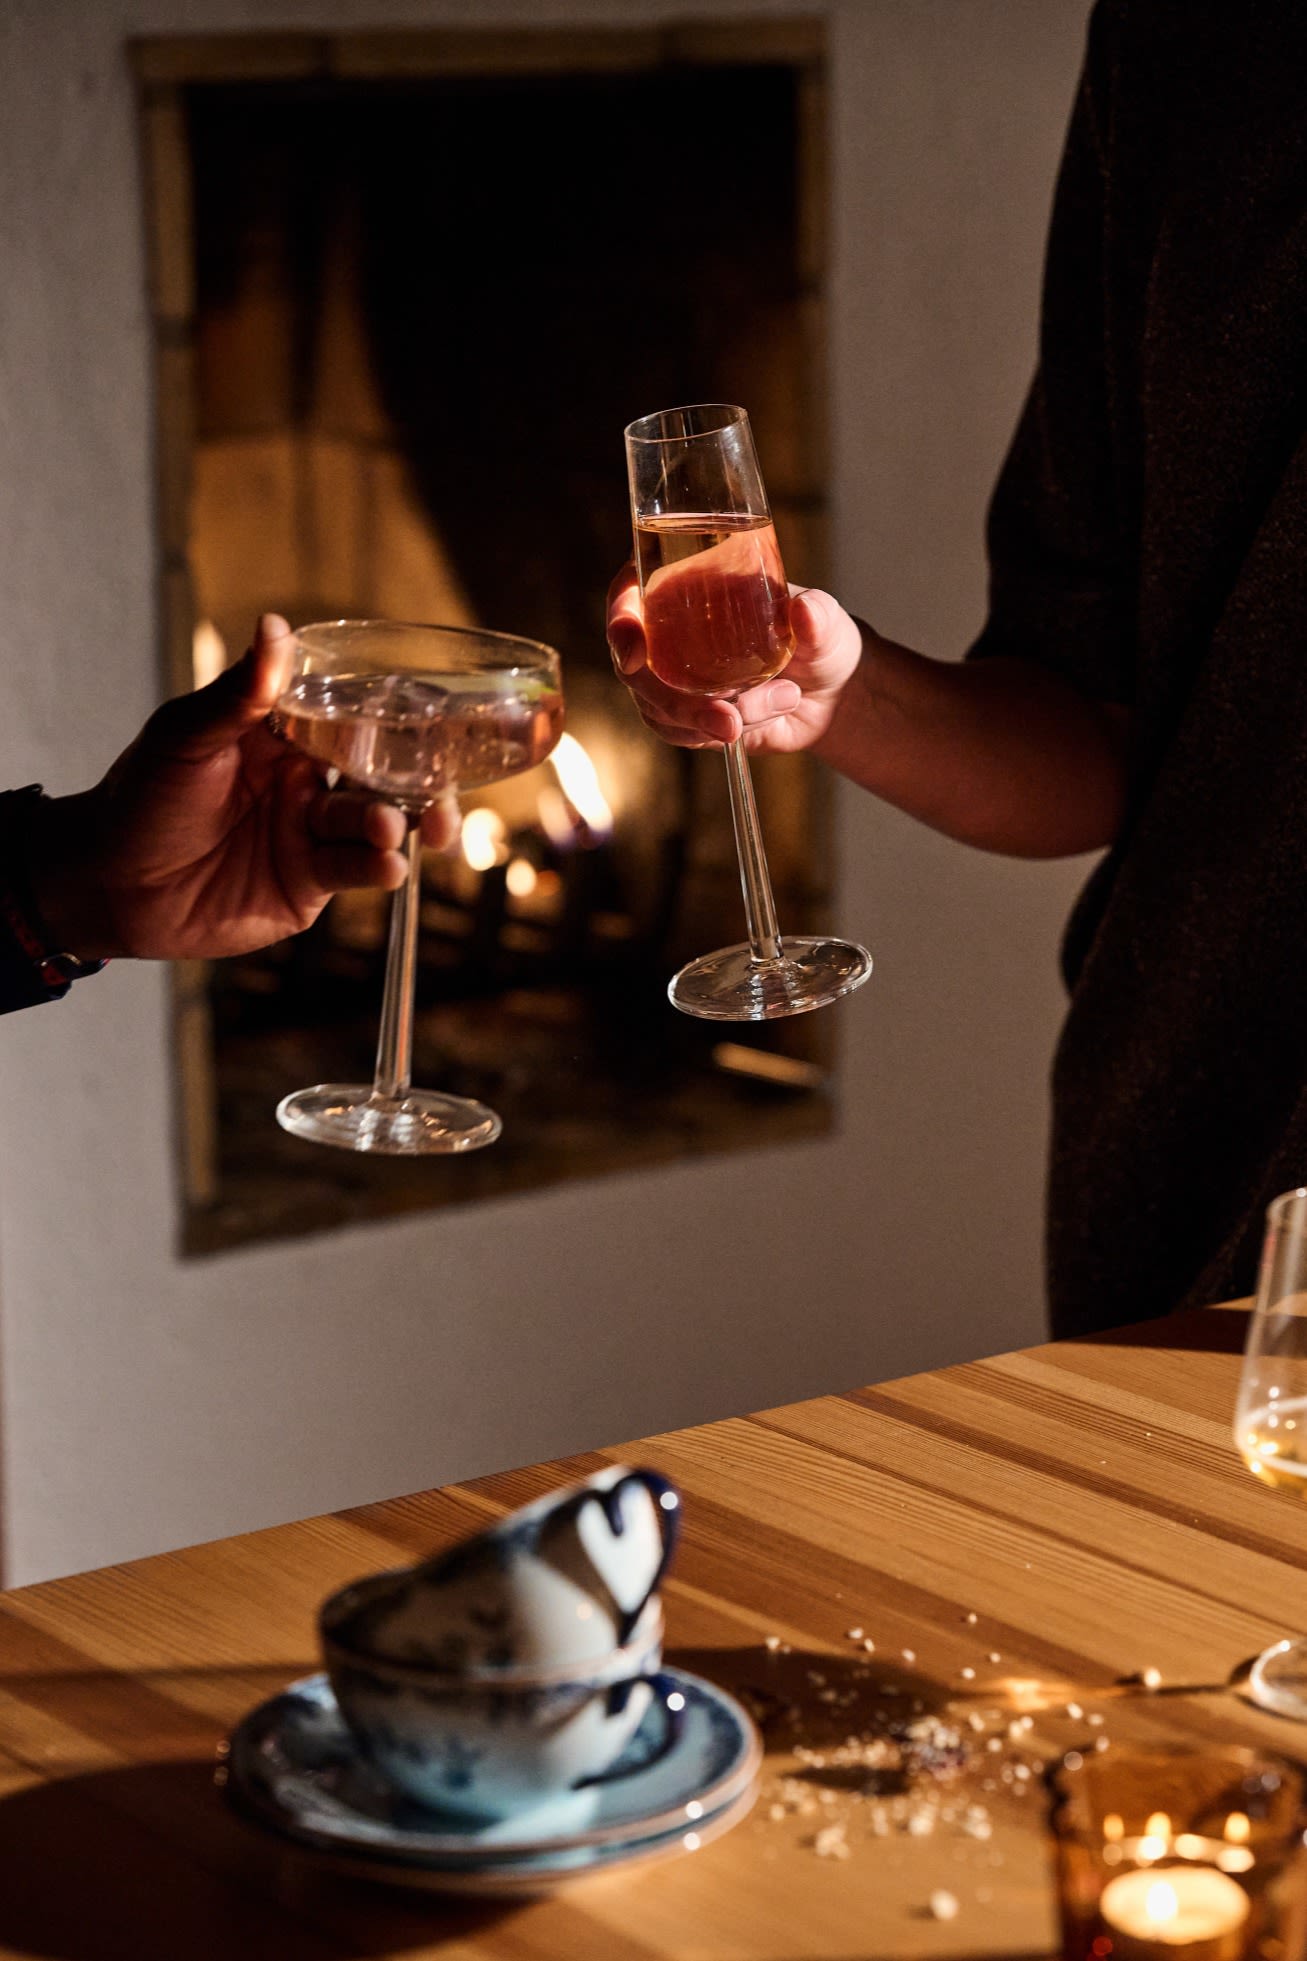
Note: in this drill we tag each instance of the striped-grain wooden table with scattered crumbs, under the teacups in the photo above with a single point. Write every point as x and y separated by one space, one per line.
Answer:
1019 1538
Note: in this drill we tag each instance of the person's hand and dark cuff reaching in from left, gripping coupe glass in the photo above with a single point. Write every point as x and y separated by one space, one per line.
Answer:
207 838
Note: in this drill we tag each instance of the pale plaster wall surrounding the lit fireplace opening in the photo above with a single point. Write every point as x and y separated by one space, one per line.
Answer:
152 1403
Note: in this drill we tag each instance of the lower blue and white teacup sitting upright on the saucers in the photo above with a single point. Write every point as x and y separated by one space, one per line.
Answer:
494 1742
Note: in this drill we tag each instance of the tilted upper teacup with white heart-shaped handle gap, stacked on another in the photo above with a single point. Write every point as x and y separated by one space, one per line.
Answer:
560 1582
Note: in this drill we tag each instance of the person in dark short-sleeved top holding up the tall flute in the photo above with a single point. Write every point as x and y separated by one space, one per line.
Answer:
1141 683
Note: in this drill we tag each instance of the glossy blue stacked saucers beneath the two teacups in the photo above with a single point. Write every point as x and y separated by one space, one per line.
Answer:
295 1770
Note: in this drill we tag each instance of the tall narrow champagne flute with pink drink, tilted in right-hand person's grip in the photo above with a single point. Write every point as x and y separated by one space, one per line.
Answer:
717 623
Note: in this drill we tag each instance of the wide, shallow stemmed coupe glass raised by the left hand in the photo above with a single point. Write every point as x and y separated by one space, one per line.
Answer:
411 713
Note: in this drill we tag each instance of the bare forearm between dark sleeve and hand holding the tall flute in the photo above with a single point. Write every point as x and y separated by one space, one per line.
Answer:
998 754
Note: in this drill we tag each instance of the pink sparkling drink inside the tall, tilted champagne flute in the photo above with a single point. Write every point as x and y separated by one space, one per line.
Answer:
715 603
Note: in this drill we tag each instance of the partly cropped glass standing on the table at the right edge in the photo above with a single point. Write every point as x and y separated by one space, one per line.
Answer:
1271 1419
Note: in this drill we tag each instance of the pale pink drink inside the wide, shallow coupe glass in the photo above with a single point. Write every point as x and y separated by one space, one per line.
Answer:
411 738
